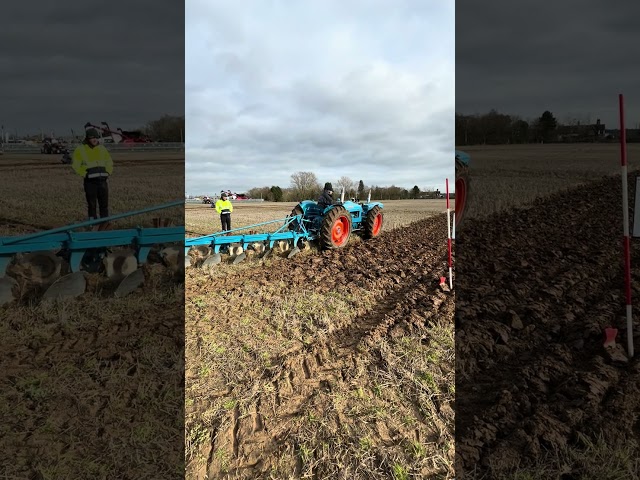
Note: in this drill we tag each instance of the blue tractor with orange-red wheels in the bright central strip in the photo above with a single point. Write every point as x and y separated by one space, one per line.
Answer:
333 226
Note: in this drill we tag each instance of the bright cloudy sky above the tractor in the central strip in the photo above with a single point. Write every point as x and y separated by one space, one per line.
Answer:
363 88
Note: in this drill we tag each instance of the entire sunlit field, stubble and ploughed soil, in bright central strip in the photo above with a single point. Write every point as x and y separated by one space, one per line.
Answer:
327 365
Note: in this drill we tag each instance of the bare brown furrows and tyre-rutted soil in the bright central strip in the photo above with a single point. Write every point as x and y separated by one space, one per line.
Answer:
404 266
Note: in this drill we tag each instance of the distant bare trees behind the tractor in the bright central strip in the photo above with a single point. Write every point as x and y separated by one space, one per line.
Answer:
306 186
